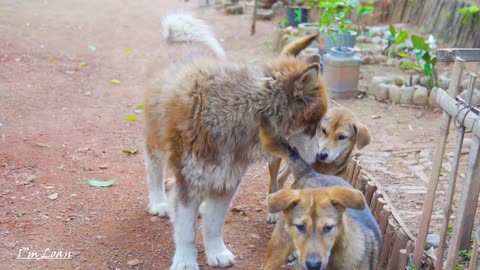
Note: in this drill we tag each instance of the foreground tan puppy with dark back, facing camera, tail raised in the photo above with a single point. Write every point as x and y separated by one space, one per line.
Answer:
324 220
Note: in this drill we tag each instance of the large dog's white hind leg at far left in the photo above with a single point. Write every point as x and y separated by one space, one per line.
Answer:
157 199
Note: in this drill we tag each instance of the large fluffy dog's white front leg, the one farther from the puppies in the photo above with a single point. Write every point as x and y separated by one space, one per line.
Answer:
184 224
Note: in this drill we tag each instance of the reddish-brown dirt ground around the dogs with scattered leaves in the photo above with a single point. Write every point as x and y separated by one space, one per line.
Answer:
62 122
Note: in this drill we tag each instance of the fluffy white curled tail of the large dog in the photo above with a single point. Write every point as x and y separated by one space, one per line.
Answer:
183 27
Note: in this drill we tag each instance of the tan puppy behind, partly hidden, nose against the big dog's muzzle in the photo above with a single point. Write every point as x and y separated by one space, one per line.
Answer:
338 133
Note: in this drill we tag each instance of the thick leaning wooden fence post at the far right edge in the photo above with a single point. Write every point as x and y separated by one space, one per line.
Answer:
467 204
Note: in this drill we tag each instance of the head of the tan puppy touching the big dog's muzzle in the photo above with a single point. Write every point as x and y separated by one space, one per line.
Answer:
338 133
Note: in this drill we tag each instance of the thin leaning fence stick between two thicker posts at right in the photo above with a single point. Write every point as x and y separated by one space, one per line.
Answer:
447 211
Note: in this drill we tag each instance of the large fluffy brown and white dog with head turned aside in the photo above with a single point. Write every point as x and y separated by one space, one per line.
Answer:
202 114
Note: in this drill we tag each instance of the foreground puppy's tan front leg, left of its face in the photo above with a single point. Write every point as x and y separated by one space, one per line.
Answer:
279 248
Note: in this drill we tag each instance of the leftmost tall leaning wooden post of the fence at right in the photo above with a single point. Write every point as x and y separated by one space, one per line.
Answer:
437 164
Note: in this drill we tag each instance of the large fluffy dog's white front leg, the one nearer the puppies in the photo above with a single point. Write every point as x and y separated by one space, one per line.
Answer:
214 212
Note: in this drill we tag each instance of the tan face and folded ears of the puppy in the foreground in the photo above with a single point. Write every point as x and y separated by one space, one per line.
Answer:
313 220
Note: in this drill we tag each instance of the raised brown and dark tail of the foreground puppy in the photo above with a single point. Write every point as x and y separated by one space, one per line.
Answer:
278 146
